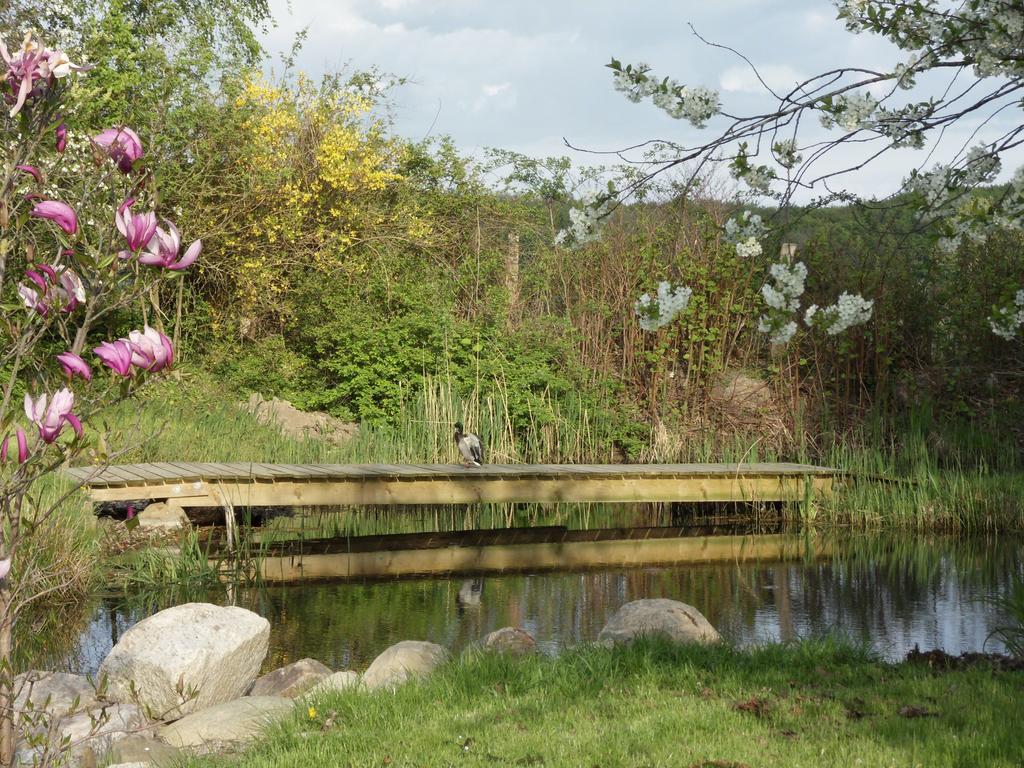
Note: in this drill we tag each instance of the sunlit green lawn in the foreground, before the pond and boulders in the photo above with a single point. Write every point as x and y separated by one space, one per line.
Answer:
661 705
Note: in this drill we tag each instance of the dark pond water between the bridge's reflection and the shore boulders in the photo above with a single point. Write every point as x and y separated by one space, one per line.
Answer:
889 592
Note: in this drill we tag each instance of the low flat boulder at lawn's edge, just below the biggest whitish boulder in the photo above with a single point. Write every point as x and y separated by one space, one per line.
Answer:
228 724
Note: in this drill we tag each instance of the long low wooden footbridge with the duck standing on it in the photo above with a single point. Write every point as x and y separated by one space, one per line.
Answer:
252 485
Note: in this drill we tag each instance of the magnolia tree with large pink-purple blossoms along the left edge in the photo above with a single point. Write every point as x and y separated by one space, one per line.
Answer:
79 240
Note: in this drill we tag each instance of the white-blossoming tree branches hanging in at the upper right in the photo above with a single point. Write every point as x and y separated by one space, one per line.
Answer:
968 56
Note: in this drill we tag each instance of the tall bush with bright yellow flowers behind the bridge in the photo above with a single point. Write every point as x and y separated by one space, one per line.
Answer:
309 175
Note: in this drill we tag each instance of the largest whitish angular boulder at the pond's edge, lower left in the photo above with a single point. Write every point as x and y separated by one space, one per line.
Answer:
187 659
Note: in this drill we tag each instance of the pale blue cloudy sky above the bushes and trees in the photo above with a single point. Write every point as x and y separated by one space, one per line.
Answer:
530 75
